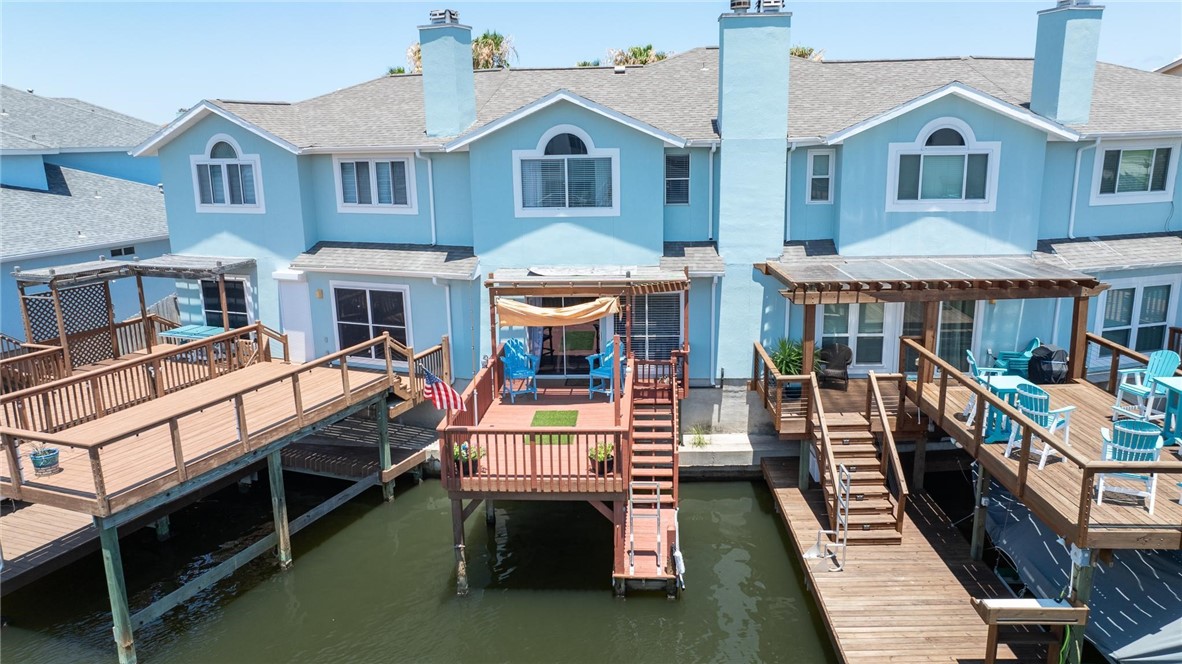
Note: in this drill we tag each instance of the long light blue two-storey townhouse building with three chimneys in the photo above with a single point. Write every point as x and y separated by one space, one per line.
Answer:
385 206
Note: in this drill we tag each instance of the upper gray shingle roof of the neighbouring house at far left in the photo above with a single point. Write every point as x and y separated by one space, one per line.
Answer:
67 125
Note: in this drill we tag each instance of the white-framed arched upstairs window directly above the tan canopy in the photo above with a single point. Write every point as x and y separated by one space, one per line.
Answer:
567 175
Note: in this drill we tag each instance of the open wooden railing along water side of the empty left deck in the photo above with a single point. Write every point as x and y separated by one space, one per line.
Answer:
103 503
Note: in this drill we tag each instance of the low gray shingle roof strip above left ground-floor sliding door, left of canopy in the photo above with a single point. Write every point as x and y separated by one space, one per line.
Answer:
395 261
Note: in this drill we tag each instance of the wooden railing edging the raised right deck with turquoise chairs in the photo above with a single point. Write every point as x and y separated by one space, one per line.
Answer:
951 377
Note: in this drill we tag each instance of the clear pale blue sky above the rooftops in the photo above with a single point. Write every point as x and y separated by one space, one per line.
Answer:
148 60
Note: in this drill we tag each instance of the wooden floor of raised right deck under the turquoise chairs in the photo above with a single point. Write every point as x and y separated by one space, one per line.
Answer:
1055 493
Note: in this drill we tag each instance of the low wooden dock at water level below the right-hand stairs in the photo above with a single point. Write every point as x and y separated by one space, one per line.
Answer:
906 604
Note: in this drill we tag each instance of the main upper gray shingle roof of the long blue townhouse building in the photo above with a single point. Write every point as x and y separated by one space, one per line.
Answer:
680 96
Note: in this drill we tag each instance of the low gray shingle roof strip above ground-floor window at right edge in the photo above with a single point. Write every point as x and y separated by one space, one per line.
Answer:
1113 253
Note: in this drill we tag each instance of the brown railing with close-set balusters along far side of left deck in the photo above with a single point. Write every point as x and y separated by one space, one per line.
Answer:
88 396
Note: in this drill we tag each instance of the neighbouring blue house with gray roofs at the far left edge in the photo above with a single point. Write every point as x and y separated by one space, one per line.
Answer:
70 192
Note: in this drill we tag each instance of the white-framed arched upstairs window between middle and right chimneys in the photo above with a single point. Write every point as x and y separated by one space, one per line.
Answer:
946 170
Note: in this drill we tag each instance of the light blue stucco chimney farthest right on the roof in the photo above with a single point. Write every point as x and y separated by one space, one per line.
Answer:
1069 36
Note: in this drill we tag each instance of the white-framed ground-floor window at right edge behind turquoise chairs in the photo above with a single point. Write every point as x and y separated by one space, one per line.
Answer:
1136 314
